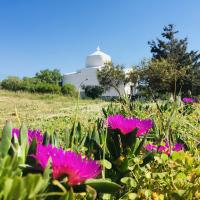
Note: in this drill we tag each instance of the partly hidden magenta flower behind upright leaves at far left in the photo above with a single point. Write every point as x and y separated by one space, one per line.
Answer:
31 135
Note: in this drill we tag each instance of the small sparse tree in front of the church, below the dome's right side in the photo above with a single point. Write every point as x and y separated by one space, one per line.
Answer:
111 76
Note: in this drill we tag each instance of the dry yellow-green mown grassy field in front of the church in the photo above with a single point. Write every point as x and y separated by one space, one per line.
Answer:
46 112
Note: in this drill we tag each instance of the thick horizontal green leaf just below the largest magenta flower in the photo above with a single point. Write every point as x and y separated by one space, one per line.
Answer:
103 185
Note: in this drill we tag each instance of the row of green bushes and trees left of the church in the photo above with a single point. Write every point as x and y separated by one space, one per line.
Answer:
45 81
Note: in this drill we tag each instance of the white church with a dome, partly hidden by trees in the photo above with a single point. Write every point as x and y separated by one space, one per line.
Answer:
88 75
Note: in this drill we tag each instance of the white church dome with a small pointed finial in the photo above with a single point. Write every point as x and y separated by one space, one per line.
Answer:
97 59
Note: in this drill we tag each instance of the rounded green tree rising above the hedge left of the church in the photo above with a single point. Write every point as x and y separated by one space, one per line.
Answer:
49 76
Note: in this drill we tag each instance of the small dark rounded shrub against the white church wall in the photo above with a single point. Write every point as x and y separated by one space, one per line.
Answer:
93 91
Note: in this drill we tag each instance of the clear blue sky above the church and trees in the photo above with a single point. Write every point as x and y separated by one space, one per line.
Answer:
39 34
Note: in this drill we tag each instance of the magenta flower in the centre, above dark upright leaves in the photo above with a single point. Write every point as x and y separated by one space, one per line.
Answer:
127 125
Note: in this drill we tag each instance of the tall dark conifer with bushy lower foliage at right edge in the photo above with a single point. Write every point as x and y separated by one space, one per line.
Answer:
181 65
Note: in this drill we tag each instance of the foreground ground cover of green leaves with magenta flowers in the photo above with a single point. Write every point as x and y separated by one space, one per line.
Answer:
132 150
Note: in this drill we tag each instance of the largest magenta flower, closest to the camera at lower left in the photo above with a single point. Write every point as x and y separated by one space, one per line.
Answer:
69 163
